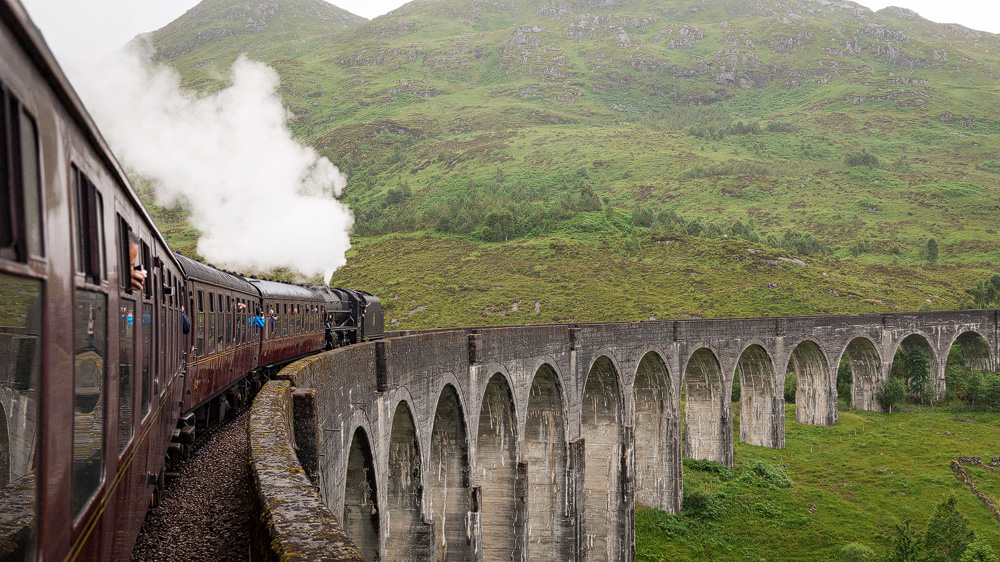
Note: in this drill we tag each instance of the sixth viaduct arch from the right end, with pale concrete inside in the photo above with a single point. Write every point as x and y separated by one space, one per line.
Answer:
707 415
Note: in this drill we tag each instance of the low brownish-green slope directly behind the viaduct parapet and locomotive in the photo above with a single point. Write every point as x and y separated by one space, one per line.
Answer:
436 280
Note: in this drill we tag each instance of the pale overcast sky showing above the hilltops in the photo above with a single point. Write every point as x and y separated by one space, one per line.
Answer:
87 30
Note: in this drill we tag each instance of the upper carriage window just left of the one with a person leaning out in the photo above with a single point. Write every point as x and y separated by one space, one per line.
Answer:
89 228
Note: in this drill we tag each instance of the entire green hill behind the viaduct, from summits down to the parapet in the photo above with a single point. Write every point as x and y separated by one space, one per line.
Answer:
809 128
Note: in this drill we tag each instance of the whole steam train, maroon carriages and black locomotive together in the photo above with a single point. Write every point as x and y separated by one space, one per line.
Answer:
102 385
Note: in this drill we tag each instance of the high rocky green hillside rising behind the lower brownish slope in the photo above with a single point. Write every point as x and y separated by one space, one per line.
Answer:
722 112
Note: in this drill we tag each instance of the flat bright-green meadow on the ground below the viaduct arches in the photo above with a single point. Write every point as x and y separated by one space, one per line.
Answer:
852 482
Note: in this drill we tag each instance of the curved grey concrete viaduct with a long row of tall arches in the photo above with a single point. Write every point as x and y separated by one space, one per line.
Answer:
537 442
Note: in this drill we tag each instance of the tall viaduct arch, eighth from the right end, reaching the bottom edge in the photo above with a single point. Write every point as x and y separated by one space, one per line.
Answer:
601 429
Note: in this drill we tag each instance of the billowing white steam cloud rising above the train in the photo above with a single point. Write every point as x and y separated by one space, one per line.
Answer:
260 198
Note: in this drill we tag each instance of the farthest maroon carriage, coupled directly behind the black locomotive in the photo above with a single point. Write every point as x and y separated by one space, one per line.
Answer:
294 322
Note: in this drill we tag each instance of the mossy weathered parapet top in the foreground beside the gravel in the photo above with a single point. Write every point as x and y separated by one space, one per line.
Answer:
292 521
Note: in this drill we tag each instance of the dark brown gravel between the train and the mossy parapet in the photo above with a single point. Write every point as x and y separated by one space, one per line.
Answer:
204 514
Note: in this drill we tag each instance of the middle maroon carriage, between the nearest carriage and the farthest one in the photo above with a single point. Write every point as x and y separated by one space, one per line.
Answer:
224 346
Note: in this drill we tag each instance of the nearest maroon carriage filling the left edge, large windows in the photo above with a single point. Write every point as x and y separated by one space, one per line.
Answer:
90 371
